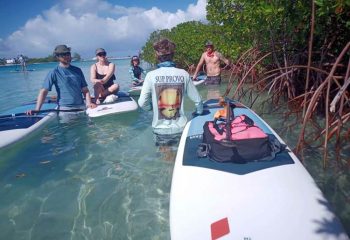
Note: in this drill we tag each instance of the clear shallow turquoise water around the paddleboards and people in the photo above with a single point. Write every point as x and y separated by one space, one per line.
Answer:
97 179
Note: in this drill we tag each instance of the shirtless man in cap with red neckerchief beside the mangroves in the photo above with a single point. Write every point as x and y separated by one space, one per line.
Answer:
212 59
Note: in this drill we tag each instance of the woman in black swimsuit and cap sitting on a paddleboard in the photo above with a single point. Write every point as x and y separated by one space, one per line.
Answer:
102 76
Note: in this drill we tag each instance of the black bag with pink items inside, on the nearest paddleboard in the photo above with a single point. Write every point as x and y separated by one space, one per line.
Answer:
242 150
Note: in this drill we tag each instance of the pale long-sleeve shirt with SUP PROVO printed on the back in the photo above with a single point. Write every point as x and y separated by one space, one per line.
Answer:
164 90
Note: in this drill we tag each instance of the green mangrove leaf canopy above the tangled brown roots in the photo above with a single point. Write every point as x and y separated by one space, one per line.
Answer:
279 26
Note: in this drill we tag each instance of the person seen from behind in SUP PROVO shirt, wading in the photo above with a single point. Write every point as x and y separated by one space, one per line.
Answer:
165 88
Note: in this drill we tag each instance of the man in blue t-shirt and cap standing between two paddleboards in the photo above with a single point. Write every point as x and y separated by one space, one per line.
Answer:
69 82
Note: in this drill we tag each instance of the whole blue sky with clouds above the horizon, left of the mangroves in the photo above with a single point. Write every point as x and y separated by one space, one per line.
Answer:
34 28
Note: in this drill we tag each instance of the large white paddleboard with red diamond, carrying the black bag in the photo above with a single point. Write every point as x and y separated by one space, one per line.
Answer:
275 199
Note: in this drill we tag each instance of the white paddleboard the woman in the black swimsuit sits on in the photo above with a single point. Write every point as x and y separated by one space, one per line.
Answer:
124 103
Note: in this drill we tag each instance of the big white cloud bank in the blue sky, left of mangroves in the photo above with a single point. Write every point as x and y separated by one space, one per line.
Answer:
86 25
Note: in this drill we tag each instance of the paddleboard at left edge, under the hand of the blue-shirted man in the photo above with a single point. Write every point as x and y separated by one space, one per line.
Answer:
15 128
